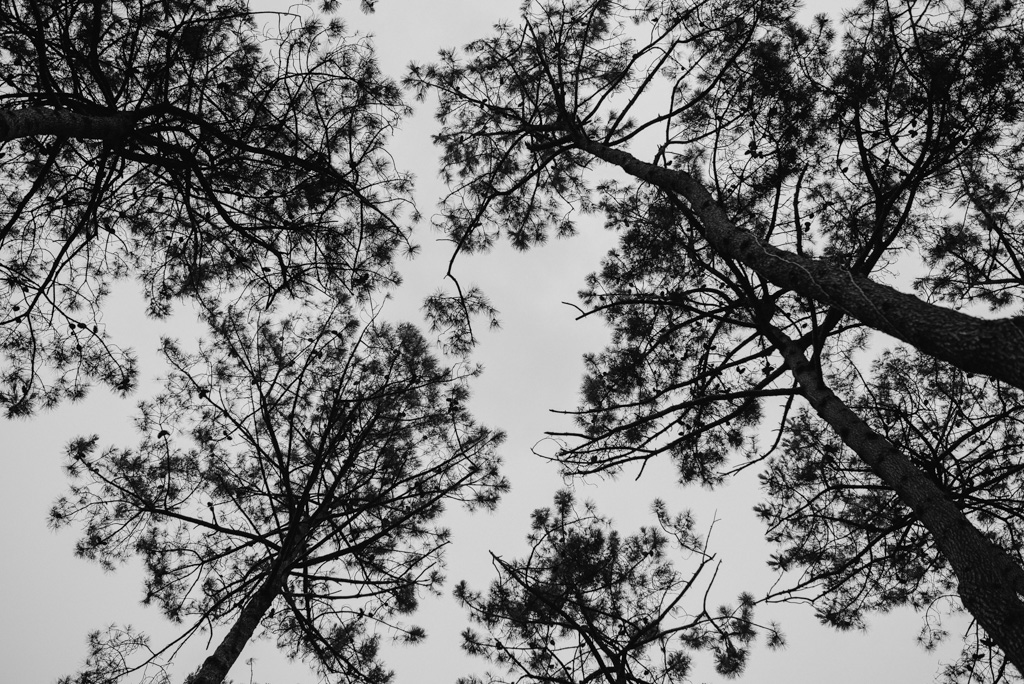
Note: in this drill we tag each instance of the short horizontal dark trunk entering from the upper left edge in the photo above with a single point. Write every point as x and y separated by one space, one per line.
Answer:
65 123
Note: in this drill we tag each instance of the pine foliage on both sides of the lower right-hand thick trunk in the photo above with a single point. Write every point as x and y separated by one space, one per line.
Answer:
860 548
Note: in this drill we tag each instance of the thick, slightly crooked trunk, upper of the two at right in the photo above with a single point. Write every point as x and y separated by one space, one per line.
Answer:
995 349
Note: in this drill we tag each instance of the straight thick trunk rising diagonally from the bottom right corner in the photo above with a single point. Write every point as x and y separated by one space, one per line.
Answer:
991 583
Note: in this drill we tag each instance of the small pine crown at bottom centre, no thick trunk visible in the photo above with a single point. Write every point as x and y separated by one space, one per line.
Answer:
587 606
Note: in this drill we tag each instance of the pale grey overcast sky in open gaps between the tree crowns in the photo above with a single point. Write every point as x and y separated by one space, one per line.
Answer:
51 600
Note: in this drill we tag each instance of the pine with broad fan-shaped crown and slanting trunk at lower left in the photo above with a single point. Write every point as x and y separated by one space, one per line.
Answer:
290 478
